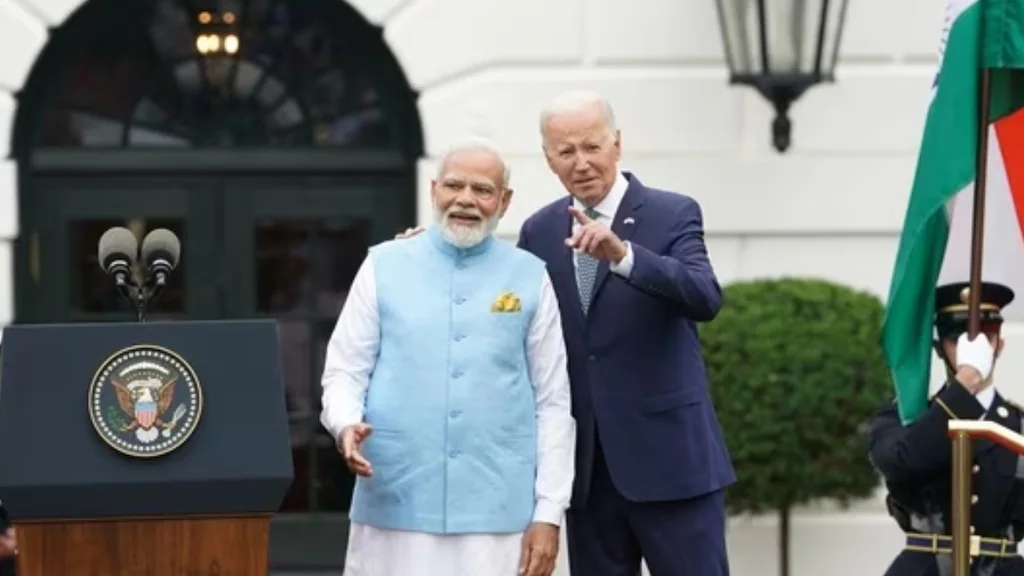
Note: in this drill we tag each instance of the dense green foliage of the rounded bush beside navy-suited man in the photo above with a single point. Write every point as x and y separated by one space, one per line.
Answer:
796 372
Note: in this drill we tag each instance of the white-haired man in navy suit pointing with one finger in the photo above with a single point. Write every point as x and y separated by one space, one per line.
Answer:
633 280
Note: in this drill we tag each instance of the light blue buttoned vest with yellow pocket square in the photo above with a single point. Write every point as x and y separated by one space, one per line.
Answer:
454 447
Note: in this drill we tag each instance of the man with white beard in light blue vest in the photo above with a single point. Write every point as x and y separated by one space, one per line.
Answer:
446 387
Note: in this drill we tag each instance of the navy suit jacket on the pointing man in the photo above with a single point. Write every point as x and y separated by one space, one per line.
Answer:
634 361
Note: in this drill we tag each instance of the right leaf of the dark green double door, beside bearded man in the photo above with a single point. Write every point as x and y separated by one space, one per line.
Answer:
304 242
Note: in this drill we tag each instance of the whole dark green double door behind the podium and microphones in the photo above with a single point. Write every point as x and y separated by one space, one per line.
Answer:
285 249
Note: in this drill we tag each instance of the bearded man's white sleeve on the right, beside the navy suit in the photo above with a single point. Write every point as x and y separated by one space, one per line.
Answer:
556 427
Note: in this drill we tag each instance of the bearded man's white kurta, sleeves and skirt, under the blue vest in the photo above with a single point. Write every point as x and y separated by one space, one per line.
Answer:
352 355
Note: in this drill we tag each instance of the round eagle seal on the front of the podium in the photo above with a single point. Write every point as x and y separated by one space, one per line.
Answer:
145 401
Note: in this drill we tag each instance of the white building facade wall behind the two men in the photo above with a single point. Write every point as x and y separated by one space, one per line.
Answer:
831 208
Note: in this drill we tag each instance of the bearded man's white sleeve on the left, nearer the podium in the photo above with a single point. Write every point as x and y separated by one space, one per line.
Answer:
352 354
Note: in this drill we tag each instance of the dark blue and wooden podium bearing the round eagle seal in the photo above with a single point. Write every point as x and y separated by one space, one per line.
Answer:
84 497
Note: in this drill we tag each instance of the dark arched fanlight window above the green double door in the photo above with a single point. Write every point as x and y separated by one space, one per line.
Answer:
180 74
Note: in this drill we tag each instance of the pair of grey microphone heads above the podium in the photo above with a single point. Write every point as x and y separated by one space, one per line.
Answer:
119 253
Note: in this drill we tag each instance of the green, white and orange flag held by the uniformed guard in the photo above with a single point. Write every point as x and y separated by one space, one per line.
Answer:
935 244
